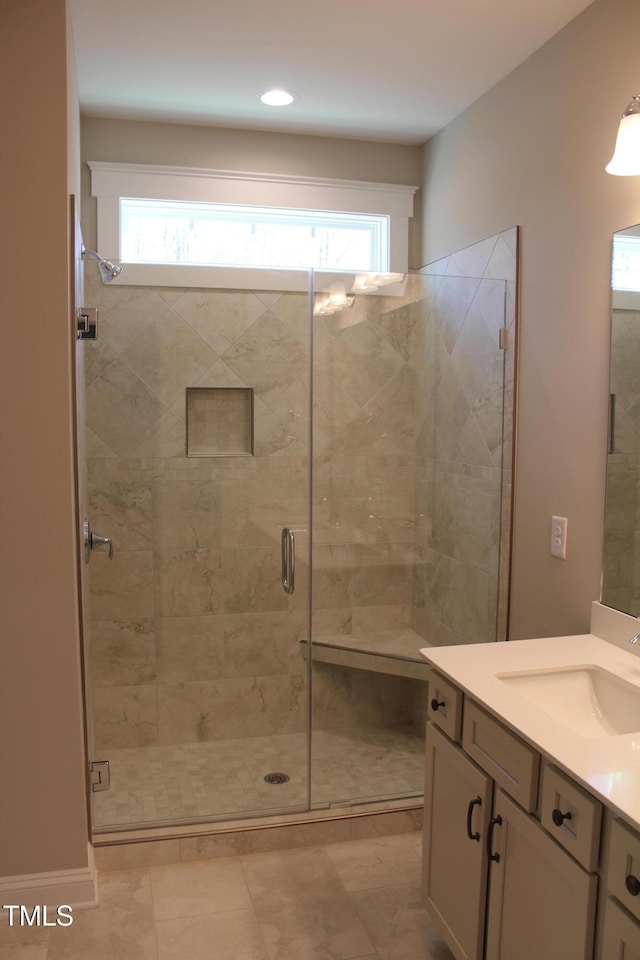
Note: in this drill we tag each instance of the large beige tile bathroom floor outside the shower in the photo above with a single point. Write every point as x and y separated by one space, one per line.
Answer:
340 901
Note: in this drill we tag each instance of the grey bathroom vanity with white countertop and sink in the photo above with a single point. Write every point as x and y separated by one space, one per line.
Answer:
532 796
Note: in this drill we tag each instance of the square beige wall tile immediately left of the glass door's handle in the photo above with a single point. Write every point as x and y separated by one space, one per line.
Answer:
252 579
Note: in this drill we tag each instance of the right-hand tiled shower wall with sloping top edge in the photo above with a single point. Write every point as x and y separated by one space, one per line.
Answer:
464 443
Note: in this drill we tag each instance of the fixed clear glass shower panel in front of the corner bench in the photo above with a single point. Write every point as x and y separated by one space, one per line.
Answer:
409 469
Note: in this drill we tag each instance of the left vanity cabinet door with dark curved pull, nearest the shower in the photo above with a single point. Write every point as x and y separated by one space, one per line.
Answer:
458 797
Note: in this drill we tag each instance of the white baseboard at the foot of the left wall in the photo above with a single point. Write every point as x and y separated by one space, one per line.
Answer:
75 888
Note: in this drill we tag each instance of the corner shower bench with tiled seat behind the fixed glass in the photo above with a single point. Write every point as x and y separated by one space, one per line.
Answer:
396 652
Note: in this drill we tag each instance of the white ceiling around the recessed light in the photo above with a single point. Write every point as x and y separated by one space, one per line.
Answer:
395 70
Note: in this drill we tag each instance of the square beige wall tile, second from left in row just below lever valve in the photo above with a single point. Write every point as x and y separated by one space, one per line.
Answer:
188 582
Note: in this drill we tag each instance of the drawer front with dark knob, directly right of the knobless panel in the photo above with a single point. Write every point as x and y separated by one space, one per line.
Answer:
579 829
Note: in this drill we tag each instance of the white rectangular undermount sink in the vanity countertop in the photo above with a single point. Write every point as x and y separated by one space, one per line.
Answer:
586 699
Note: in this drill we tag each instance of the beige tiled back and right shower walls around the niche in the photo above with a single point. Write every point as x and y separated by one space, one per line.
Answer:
192 637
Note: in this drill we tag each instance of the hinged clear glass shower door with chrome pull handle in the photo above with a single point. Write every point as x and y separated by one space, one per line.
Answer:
198 434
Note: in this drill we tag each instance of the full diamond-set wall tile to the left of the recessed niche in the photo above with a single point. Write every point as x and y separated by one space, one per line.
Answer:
121 408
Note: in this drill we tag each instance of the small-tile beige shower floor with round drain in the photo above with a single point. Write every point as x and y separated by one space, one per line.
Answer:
226 778
